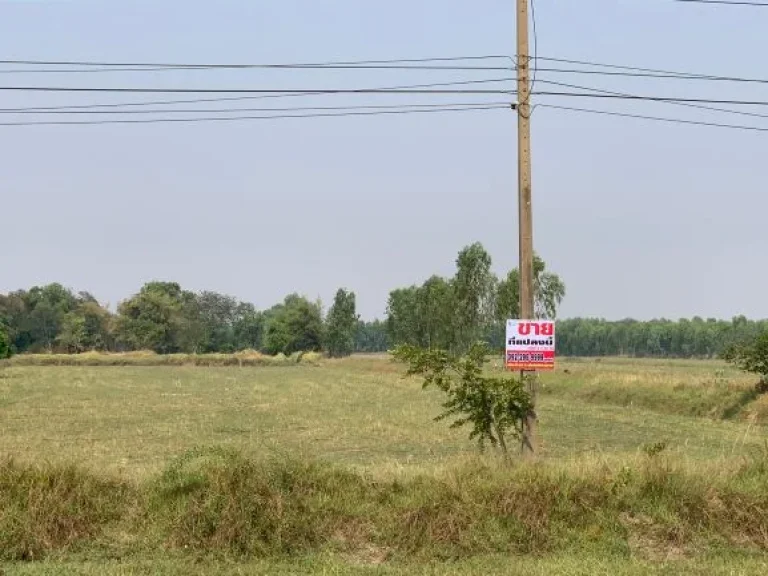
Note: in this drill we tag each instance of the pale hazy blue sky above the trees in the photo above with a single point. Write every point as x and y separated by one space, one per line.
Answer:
641 219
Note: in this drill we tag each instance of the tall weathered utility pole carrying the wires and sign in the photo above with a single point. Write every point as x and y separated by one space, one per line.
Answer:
525 209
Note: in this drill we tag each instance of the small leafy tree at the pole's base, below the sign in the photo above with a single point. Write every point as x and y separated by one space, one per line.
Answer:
495 407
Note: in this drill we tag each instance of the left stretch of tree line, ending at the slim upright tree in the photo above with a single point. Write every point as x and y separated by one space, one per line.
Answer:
167 319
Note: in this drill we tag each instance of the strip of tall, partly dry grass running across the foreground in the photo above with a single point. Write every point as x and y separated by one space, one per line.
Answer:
216 501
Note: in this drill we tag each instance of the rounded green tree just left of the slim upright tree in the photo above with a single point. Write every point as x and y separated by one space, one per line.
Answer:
296 325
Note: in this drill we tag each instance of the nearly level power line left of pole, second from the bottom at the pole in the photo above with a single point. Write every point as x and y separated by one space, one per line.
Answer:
272 109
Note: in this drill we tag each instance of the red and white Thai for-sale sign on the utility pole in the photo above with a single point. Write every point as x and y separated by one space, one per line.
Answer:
530 345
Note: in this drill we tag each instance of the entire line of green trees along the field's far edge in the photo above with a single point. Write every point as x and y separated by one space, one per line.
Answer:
448 313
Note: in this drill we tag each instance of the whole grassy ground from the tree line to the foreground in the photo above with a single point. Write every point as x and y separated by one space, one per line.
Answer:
358 418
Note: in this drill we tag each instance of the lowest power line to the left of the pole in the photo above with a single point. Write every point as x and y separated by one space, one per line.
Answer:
253 118
